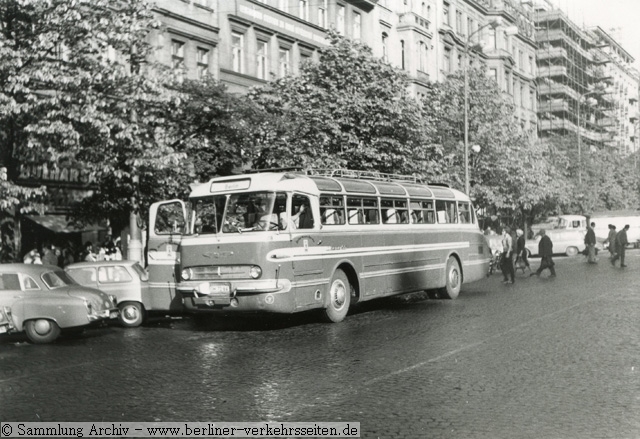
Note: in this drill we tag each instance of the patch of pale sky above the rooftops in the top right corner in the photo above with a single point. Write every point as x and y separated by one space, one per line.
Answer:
619 18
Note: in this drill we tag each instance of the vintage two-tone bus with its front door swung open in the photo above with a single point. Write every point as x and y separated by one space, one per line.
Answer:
285 242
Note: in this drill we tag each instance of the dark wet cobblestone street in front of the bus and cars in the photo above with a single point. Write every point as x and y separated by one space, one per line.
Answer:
546 357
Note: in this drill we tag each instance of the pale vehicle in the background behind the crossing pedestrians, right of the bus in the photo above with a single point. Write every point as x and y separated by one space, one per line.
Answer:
567 236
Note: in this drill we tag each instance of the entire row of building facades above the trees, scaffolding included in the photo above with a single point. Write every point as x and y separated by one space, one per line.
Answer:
550 67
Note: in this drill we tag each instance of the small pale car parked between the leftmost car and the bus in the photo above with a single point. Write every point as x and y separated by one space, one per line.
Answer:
127 280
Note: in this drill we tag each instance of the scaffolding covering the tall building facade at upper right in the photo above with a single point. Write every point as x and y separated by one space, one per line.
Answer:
571 76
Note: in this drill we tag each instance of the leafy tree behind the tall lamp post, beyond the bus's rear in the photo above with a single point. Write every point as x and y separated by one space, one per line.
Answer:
508 170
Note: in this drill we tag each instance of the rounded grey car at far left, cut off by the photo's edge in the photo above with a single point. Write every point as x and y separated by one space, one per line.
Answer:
41 300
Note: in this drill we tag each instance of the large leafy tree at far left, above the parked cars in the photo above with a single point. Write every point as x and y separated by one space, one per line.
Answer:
76 90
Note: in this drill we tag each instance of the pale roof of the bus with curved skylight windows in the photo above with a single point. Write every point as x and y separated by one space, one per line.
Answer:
316 184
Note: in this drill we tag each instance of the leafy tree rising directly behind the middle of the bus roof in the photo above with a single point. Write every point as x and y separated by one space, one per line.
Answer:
350 110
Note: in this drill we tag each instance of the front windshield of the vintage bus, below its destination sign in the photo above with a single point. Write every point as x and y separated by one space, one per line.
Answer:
237 213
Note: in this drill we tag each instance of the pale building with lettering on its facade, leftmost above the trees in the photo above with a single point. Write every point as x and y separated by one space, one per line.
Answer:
245 43
